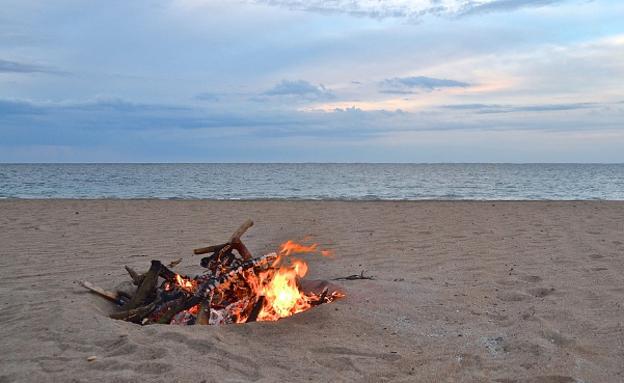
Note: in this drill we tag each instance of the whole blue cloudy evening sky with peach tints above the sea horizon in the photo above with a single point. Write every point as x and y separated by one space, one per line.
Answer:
312 81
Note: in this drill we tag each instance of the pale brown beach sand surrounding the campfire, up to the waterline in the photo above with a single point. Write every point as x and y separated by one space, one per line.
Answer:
464 291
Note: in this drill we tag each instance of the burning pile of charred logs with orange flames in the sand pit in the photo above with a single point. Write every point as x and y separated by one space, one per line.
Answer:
235 288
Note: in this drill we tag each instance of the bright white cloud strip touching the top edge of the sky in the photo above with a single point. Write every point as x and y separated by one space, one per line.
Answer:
406 9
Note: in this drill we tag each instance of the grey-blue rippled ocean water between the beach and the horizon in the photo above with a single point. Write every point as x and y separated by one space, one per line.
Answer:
315 181
